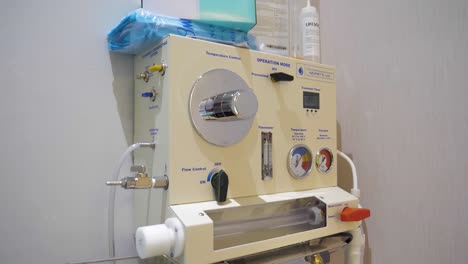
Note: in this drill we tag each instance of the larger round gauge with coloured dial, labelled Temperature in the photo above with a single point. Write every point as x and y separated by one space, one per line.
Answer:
300 161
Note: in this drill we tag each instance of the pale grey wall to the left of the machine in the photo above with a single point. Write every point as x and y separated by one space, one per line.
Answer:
66 116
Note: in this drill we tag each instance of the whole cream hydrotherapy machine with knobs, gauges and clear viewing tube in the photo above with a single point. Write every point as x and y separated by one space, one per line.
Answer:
240 160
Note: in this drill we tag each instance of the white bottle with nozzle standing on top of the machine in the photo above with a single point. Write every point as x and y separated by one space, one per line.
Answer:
310 26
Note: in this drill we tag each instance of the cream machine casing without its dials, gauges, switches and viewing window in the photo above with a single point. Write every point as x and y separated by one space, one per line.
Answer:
187 158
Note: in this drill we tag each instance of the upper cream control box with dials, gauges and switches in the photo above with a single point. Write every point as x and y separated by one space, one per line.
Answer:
230 122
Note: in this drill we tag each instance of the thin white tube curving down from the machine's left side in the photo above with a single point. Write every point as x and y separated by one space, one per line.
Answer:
111 207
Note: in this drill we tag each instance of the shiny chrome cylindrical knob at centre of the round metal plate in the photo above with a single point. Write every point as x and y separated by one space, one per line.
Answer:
232 105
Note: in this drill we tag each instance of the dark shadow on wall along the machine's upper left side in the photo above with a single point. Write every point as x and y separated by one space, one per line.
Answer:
122 69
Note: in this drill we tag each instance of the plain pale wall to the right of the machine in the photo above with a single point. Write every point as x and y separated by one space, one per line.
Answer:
402 108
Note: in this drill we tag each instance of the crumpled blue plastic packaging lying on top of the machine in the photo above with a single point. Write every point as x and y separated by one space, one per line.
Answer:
141 29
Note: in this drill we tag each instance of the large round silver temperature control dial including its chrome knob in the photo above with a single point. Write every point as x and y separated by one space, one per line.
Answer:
222 107
